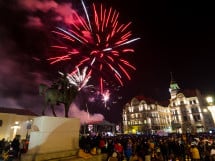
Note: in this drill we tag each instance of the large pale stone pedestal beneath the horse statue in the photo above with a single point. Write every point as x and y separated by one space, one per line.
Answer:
53 137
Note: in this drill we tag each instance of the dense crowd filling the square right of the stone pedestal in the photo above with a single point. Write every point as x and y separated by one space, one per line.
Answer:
175 147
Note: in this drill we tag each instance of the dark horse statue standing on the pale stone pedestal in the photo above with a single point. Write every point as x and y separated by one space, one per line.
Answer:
56 95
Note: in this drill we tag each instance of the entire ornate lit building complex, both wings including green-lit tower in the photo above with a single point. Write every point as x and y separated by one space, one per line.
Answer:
185 112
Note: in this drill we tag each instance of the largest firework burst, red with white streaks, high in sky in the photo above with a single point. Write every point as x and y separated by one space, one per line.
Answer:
98 42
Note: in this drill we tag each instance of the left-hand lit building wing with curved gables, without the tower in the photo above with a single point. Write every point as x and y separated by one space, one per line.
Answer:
143 115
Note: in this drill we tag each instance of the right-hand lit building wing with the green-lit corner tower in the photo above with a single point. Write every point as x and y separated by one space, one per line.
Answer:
189 111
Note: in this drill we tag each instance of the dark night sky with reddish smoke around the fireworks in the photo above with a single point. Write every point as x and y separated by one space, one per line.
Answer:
176 36
